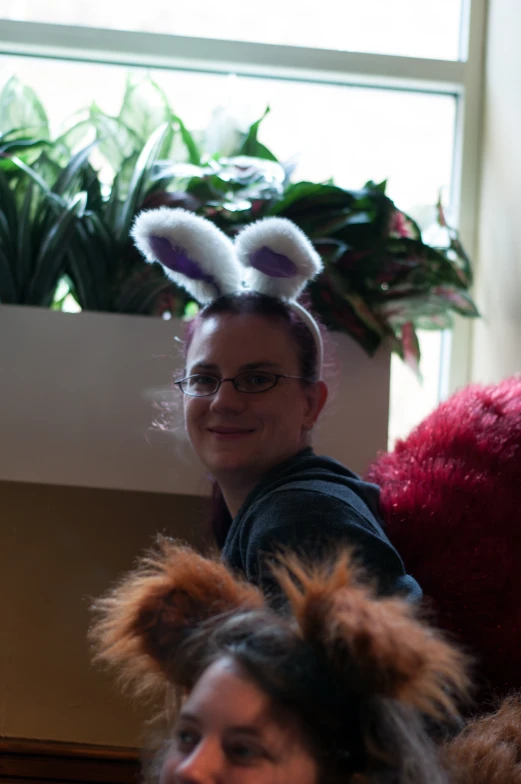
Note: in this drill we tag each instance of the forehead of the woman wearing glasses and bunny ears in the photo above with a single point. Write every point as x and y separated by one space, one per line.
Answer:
242 339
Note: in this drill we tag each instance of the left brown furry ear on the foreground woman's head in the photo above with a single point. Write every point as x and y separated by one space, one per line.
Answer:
142 623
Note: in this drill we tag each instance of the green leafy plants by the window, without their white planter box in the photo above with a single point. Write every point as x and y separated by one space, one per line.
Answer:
381 281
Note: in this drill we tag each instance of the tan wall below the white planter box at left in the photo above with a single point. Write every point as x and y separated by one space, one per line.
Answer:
60 546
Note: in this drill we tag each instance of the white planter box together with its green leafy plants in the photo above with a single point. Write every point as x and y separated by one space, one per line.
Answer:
66 206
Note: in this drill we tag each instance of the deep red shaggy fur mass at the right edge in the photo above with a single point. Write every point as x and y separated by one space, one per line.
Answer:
451 496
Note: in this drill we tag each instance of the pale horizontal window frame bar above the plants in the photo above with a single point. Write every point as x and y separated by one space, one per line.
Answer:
170 51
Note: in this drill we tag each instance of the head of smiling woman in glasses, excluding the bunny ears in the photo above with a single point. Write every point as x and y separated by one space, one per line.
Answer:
263 344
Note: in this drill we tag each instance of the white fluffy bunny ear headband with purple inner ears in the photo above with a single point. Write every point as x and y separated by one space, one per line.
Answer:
271 256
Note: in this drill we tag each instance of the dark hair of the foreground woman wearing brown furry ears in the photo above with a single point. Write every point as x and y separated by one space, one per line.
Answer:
375 738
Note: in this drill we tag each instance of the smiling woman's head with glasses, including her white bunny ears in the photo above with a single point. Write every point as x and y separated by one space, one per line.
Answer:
252 381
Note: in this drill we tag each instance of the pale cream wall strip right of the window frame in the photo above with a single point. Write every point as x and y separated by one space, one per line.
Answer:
496 348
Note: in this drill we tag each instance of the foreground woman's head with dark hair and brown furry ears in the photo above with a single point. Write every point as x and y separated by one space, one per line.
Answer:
336 691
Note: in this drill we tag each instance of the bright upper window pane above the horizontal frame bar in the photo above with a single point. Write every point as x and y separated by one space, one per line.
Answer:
410 28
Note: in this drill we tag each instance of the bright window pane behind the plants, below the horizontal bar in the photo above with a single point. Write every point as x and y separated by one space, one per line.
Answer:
350 134
